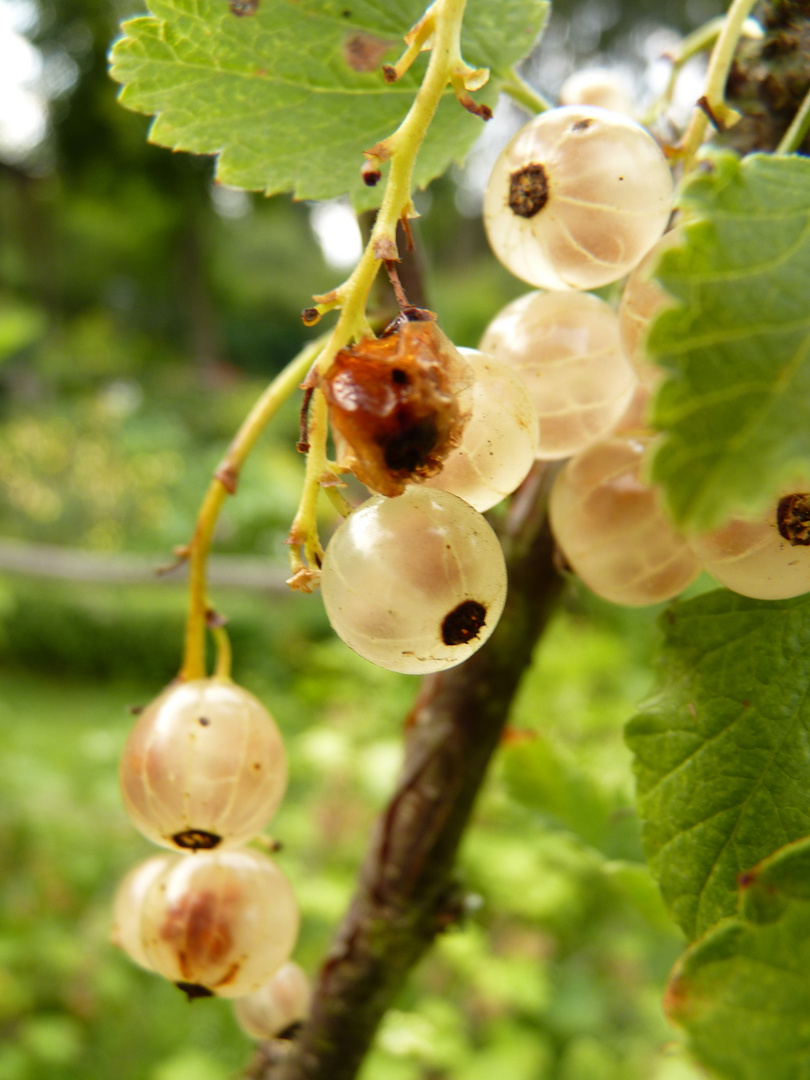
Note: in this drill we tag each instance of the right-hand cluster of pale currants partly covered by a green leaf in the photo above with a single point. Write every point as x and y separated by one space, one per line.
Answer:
582 198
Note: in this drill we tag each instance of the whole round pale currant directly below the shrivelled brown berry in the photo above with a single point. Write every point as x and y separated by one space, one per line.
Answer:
415 584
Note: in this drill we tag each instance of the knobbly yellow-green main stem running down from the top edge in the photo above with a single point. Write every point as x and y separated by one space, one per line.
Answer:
447 66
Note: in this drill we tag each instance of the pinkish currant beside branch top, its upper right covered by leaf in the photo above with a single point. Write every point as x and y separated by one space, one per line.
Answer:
613 531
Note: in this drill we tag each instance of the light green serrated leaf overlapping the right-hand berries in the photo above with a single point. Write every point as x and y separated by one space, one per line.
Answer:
738 345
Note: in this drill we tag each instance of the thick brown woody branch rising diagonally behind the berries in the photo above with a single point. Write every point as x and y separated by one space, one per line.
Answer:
407 894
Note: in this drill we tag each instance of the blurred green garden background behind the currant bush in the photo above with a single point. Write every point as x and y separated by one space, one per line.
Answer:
142 310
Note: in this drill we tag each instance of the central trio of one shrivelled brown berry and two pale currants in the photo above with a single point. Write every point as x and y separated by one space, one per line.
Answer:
414 579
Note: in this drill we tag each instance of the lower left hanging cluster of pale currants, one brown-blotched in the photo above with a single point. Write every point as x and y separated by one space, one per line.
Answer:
202 774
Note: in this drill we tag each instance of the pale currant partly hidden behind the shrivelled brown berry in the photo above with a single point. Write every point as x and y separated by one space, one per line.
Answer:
501 440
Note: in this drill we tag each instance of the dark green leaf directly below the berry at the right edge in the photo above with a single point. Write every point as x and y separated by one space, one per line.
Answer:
723 751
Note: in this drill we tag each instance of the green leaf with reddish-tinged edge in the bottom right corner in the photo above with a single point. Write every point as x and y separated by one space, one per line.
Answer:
742 993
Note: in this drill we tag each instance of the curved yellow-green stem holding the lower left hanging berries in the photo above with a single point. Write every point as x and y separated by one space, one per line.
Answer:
224 483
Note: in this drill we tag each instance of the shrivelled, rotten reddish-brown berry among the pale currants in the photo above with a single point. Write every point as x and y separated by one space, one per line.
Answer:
398 403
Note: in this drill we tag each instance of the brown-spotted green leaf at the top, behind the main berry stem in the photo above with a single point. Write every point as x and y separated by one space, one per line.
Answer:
276 97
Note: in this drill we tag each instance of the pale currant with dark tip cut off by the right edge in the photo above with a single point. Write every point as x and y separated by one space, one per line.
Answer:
768 558
